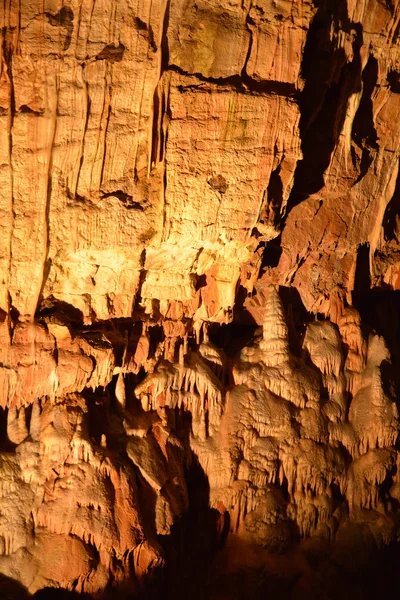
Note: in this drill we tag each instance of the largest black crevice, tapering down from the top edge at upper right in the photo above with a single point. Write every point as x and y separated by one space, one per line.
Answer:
330 80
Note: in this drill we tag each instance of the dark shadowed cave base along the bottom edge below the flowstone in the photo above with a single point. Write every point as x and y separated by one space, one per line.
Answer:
321 575
